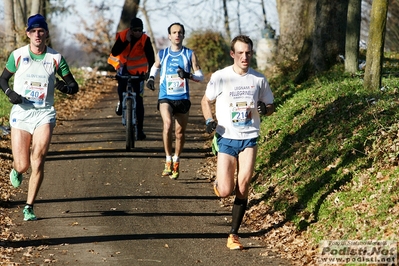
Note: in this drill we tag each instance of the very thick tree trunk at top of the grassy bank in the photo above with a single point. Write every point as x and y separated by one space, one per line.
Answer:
312 35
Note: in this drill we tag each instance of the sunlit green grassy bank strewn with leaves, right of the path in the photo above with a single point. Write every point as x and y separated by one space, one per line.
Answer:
330 153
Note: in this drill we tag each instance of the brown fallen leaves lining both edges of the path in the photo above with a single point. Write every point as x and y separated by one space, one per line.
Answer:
279 236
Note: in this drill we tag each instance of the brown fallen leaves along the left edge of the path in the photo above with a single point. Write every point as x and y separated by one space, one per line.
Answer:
66 106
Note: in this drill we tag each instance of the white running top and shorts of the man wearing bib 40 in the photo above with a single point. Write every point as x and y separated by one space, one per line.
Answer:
34 80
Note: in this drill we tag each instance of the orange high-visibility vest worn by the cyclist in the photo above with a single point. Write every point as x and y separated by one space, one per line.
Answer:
132 57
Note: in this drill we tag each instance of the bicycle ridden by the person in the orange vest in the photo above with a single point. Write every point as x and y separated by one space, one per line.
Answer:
129 108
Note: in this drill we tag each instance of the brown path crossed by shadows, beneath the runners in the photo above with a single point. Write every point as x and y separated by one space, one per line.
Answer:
101 205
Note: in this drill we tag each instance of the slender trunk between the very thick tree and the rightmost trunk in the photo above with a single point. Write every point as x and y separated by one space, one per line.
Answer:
353 36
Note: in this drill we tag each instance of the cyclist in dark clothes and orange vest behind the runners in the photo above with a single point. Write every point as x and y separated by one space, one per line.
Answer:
132 54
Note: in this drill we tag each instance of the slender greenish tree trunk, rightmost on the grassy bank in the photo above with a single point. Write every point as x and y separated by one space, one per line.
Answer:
375 47
